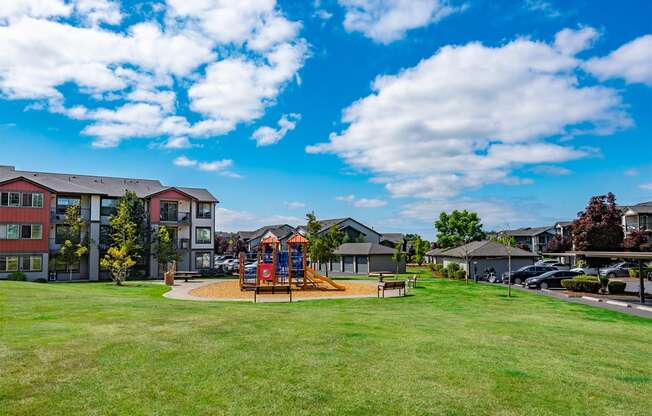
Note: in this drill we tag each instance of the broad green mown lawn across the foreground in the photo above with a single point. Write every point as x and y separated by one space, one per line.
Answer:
450 349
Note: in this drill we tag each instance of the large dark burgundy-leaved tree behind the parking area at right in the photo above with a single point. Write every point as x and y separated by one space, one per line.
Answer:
599 226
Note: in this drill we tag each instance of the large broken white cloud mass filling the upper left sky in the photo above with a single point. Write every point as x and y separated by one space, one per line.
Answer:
249 49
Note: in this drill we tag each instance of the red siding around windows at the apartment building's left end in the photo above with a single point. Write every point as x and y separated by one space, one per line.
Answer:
24 215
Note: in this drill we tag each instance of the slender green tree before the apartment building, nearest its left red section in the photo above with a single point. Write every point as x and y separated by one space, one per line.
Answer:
75 244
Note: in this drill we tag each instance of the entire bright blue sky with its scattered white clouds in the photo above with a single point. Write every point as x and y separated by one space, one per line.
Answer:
386 111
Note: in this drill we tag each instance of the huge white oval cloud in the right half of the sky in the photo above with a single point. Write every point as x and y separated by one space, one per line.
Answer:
469 115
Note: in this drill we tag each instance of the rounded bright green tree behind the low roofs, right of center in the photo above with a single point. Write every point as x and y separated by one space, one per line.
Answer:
460 227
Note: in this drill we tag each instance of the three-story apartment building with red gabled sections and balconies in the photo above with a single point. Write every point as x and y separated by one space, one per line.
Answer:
32 214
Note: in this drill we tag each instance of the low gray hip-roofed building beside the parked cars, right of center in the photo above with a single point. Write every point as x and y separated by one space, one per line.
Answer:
483 255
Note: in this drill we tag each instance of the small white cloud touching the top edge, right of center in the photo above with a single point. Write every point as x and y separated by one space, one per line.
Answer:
385 21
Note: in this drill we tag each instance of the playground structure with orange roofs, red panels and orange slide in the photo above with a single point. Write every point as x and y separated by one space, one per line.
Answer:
283 268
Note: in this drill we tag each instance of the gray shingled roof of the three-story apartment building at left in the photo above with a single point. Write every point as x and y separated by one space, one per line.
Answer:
101 185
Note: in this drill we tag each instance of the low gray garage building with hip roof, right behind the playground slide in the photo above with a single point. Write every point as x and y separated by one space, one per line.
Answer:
362 259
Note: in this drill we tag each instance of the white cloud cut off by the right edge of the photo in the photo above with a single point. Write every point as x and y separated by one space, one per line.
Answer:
632 62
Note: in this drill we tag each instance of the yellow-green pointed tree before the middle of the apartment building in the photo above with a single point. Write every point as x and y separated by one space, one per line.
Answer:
124 248
